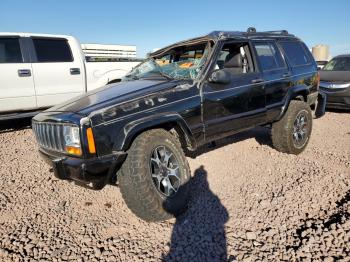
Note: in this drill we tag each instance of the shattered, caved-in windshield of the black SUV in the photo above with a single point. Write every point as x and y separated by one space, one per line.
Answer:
184 62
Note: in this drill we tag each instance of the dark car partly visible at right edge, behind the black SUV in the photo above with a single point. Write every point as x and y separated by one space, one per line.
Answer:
335 82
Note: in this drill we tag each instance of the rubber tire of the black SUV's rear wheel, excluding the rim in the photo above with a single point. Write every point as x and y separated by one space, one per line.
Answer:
282 131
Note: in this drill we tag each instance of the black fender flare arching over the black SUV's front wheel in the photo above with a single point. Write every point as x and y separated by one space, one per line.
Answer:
134 128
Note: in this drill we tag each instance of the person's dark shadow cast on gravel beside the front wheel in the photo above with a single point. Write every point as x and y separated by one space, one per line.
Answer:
199 233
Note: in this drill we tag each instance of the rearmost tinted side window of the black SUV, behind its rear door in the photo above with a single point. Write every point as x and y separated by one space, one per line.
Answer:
295 53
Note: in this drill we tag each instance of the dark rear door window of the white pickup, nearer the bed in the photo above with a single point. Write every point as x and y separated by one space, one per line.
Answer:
52 50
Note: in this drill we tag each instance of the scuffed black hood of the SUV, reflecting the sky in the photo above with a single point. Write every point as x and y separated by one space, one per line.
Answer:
112 94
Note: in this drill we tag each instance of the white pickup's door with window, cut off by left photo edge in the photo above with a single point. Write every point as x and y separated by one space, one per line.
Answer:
16 78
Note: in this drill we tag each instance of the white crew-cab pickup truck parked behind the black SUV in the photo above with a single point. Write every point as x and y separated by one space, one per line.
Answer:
38 71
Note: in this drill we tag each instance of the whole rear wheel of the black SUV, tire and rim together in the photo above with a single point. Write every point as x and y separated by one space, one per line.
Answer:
291 133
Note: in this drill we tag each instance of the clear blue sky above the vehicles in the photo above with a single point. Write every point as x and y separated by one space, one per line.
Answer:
155 24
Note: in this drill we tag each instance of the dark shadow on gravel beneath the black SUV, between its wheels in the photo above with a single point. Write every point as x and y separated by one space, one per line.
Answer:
262 135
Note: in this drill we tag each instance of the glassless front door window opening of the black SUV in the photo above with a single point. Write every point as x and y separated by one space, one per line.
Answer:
235 58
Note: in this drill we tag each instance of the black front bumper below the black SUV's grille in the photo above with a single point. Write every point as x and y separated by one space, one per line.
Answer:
92 173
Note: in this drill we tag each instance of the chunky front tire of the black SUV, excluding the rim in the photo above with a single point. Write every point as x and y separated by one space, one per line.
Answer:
136 183
